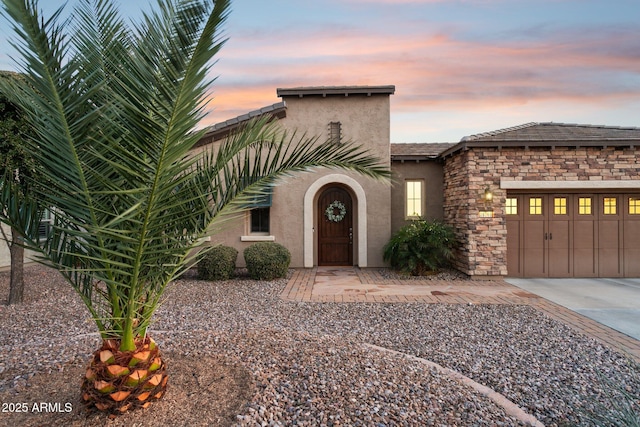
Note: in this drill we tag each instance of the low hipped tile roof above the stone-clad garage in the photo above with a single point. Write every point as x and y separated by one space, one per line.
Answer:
551 134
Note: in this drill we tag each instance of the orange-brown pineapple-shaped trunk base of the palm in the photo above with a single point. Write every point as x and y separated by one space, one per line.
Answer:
117 381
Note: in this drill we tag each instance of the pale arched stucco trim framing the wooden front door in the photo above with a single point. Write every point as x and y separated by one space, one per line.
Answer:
360 201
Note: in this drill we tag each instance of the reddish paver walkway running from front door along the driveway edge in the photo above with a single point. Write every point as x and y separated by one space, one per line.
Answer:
345 285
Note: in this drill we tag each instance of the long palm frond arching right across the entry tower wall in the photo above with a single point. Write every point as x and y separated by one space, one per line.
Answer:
259 153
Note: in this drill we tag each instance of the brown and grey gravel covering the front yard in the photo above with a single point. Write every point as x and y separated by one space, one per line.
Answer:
306 364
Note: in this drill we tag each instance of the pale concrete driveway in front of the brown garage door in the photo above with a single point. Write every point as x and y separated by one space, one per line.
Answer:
612 302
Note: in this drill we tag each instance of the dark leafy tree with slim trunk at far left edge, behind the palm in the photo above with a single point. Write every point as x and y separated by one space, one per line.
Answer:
16 176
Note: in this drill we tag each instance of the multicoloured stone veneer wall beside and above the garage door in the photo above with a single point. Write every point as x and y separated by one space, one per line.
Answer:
483 250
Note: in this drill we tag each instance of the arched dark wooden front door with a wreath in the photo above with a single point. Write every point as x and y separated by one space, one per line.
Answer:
335 227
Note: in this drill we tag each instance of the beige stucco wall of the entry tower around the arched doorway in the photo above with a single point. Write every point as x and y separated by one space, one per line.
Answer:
364 119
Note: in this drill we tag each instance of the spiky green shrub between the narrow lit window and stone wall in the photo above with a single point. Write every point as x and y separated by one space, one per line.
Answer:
421 247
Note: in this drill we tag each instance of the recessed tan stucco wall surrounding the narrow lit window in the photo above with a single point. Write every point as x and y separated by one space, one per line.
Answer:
431 172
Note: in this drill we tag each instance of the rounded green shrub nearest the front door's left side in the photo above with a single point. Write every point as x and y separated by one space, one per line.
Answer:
267 260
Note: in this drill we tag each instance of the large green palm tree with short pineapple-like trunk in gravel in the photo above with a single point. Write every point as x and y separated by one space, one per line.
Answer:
115 111
